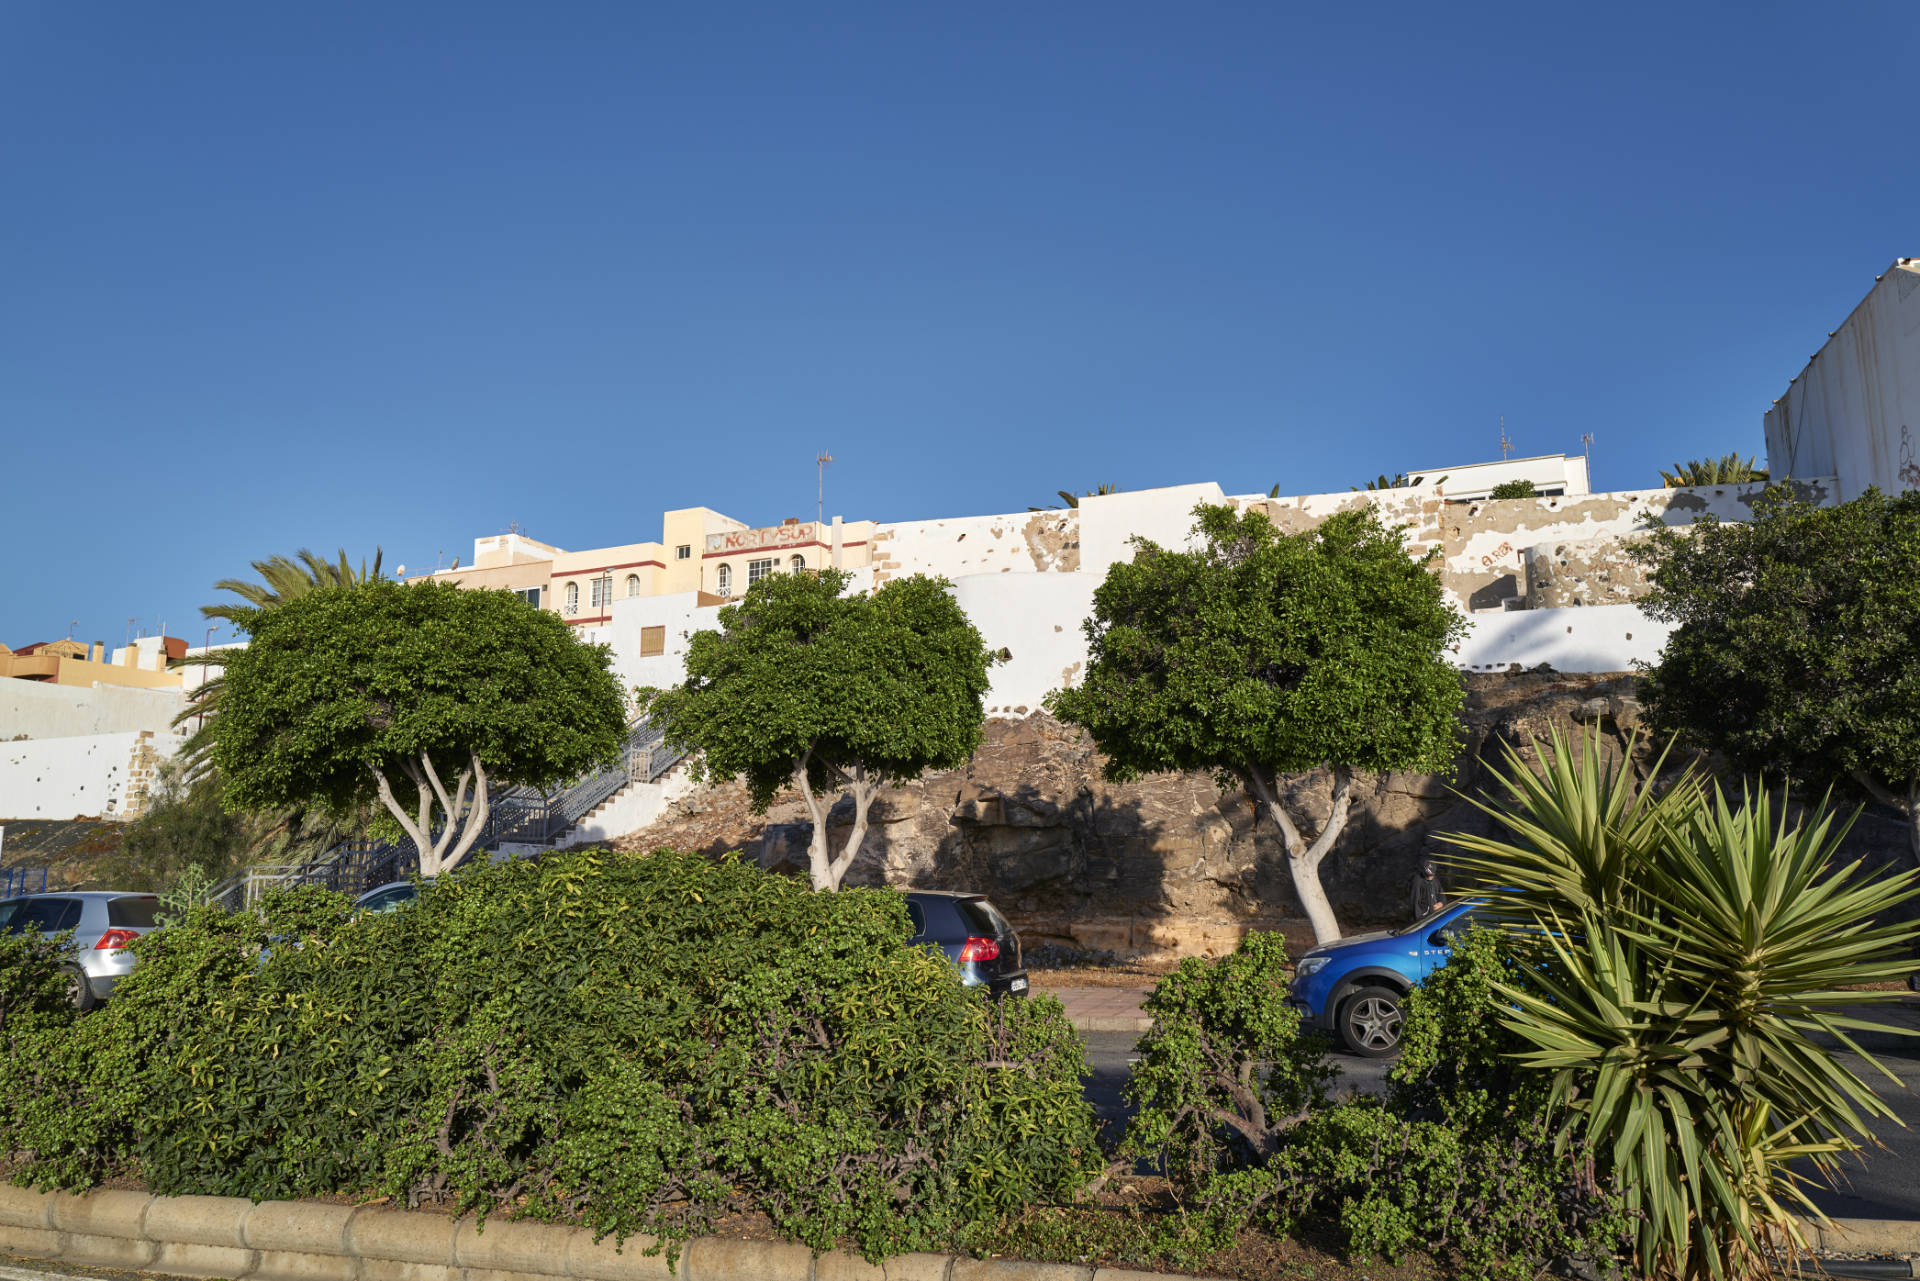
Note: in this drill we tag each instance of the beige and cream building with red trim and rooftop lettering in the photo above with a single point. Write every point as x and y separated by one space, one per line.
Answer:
700 550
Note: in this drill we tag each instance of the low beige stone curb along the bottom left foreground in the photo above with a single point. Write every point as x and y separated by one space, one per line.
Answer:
306 1242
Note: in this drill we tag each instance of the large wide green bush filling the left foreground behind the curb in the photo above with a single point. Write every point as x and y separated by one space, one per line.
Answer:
640 1044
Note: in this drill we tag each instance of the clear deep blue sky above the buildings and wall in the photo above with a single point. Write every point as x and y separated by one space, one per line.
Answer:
352 276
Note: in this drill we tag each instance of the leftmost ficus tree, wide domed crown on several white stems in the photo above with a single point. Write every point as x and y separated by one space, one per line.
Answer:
352 694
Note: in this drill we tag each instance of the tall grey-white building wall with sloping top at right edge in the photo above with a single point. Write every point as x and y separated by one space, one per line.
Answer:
1854 412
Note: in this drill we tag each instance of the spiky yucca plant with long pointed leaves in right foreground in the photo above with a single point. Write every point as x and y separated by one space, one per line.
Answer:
1691 967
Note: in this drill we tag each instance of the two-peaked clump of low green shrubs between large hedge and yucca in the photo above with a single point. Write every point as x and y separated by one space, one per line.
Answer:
1460 1157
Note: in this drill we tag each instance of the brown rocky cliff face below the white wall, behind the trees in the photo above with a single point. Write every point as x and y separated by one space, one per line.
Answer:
1163 865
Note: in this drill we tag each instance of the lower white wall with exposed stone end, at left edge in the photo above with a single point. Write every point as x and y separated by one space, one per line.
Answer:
82 777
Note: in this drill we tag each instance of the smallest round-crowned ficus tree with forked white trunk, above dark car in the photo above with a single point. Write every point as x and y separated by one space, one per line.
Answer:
828 694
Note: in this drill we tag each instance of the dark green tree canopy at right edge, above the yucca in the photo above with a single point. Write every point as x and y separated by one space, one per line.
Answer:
1798 642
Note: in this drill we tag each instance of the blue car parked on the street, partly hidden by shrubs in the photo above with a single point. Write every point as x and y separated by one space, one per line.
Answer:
1355 990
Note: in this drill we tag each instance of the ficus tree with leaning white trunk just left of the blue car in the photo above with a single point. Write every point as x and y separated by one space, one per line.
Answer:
1266 654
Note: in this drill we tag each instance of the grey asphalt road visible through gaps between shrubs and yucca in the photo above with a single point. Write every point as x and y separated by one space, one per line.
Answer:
1886 1186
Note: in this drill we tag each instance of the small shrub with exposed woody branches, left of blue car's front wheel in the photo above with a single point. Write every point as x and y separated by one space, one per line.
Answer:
1224 1071
